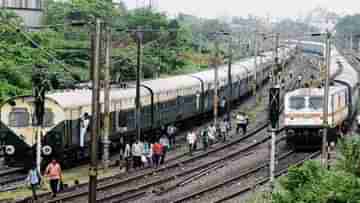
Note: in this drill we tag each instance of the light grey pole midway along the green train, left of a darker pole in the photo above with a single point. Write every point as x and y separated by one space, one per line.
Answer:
216 84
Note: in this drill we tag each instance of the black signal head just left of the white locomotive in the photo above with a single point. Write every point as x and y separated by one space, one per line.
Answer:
274 106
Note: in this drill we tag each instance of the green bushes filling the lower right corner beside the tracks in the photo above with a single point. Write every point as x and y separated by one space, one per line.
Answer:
313 183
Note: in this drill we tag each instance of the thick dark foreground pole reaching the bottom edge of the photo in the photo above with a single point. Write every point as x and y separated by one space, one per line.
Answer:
95 114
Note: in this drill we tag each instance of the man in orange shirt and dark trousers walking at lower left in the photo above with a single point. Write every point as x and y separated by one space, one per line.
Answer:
53 172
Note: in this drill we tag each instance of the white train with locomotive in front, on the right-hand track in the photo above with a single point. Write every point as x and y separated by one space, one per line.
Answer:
303 112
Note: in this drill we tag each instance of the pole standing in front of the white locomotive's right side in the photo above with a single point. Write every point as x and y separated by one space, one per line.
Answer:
326 100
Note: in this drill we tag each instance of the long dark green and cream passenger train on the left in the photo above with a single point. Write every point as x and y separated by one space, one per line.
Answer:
163 101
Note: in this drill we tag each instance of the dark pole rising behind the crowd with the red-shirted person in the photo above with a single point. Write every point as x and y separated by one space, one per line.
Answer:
139 37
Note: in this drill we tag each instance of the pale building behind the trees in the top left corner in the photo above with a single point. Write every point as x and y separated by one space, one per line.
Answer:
31 11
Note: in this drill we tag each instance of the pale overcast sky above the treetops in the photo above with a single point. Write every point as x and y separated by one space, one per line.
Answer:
274 8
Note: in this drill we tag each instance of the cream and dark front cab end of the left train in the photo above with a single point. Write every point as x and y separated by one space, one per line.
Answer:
18 133
